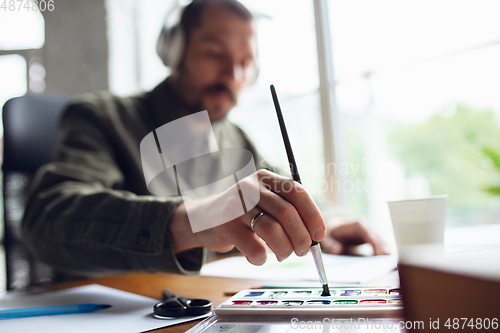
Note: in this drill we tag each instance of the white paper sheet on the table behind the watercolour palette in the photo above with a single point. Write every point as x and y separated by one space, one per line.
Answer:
339 269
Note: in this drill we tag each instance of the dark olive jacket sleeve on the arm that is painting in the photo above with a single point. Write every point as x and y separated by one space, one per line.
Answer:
79 219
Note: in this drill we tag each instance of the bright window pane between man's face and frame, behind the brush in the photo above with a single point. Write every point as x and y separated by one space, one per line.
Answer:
287 59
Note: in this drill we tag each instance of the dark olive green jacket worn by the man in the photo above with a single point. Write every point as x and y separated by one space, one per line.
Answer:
89 211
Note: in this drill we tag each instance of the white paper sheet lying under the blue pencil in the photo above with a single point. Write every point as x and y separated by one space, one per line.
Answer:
129 312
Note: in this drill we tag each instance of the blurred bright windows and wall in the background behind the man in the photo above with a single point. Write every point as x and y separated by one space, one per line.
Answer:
383 100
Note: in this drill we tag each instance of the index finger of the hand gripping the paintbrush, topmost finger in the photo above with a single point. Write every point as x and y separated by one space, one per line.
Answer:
298 197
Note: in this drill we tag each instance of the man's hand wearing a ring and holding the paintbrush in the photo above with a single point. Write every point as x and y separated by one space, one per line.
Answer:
291 221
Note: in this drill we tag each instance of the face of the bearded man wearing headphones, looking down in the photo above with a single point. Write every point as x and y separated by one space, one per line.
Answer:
218 63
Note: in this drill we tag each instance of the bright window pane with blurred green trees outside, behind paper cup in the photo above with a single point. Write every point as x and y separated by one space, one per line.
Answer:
417 86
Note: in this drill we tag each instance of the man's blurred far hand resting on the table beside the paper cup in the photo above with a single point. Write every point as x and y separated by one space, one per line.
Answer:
344 234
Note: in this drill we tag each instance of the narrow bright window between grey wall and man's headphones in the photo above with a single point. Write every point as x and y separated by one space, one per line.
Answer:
133 29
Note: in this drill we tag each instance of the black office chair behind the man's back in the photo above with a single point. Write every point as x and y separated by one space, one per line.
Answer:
30 127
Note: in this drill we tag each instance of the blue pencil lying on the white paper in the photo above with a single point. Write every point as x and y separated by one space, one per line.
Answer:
51 310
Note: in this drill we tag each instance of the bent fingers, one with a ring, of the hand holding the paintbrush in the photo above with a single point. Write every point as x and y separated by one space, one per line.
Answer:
290 222
